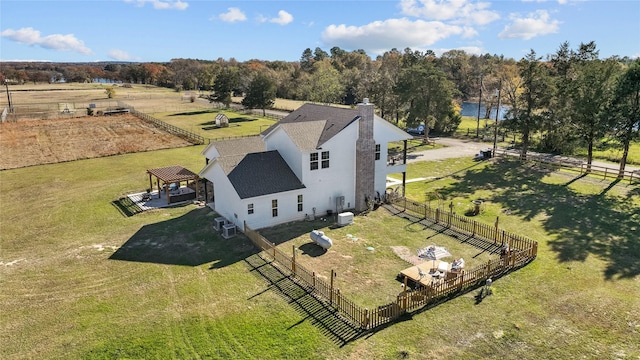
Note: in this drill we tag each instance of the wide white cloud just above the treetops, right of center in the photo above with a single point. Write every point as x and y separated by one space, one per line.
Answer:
380 36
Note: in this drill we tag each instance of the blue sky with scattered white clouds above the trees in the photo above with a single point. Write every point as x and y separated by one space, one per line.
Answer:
160 30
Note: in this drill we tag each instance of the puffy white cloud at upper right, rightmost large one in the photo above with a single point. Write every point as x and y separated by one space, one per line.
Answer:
535 24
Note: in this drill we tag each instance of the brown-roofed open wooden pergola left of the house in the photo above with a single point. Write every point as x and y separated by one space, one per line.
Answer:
172 178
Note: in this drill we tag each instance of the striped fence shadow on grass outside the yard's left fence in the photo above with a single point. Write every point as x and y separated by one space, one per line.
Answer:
318 313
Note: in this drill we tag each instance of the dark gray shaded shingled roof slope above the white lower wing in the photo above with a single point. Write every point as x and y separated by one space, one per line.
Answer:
263 173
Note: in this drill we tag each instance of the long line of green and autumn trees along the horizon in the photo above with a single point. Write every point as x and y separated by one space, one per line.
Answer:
567 100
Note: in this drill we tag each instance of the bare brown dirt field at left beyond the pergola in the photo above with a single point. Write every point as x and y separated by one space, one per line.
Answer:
37 142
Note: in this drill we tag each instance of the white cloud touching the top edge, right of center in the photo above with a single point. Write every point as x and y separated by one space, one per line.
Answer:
457 11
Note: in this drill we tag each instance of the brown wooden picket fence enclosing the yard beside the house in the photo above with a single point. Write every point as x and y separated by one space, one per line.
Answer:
521 252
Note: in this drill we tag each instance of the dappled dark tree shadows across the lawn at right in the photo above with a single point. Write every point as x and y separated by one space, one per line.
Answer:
582 225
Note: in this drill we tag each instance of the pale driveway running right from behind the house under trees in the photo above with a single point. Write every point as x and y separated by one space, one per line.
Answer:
461 147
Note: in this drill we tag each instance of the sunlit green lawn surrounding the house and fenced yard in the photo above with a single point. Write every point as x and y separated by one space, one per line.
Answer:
80 280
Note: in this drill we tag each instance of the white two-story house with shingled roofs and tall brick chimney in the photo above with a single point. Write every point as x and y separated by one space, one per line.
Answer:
317 161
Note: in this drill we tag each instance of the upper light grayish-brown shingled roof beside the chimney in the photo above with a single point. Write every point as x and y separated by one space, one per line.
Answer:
336 119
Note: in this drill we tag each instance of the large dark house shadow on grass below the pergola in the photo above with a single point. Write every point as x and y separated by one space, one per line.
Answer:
188 240
